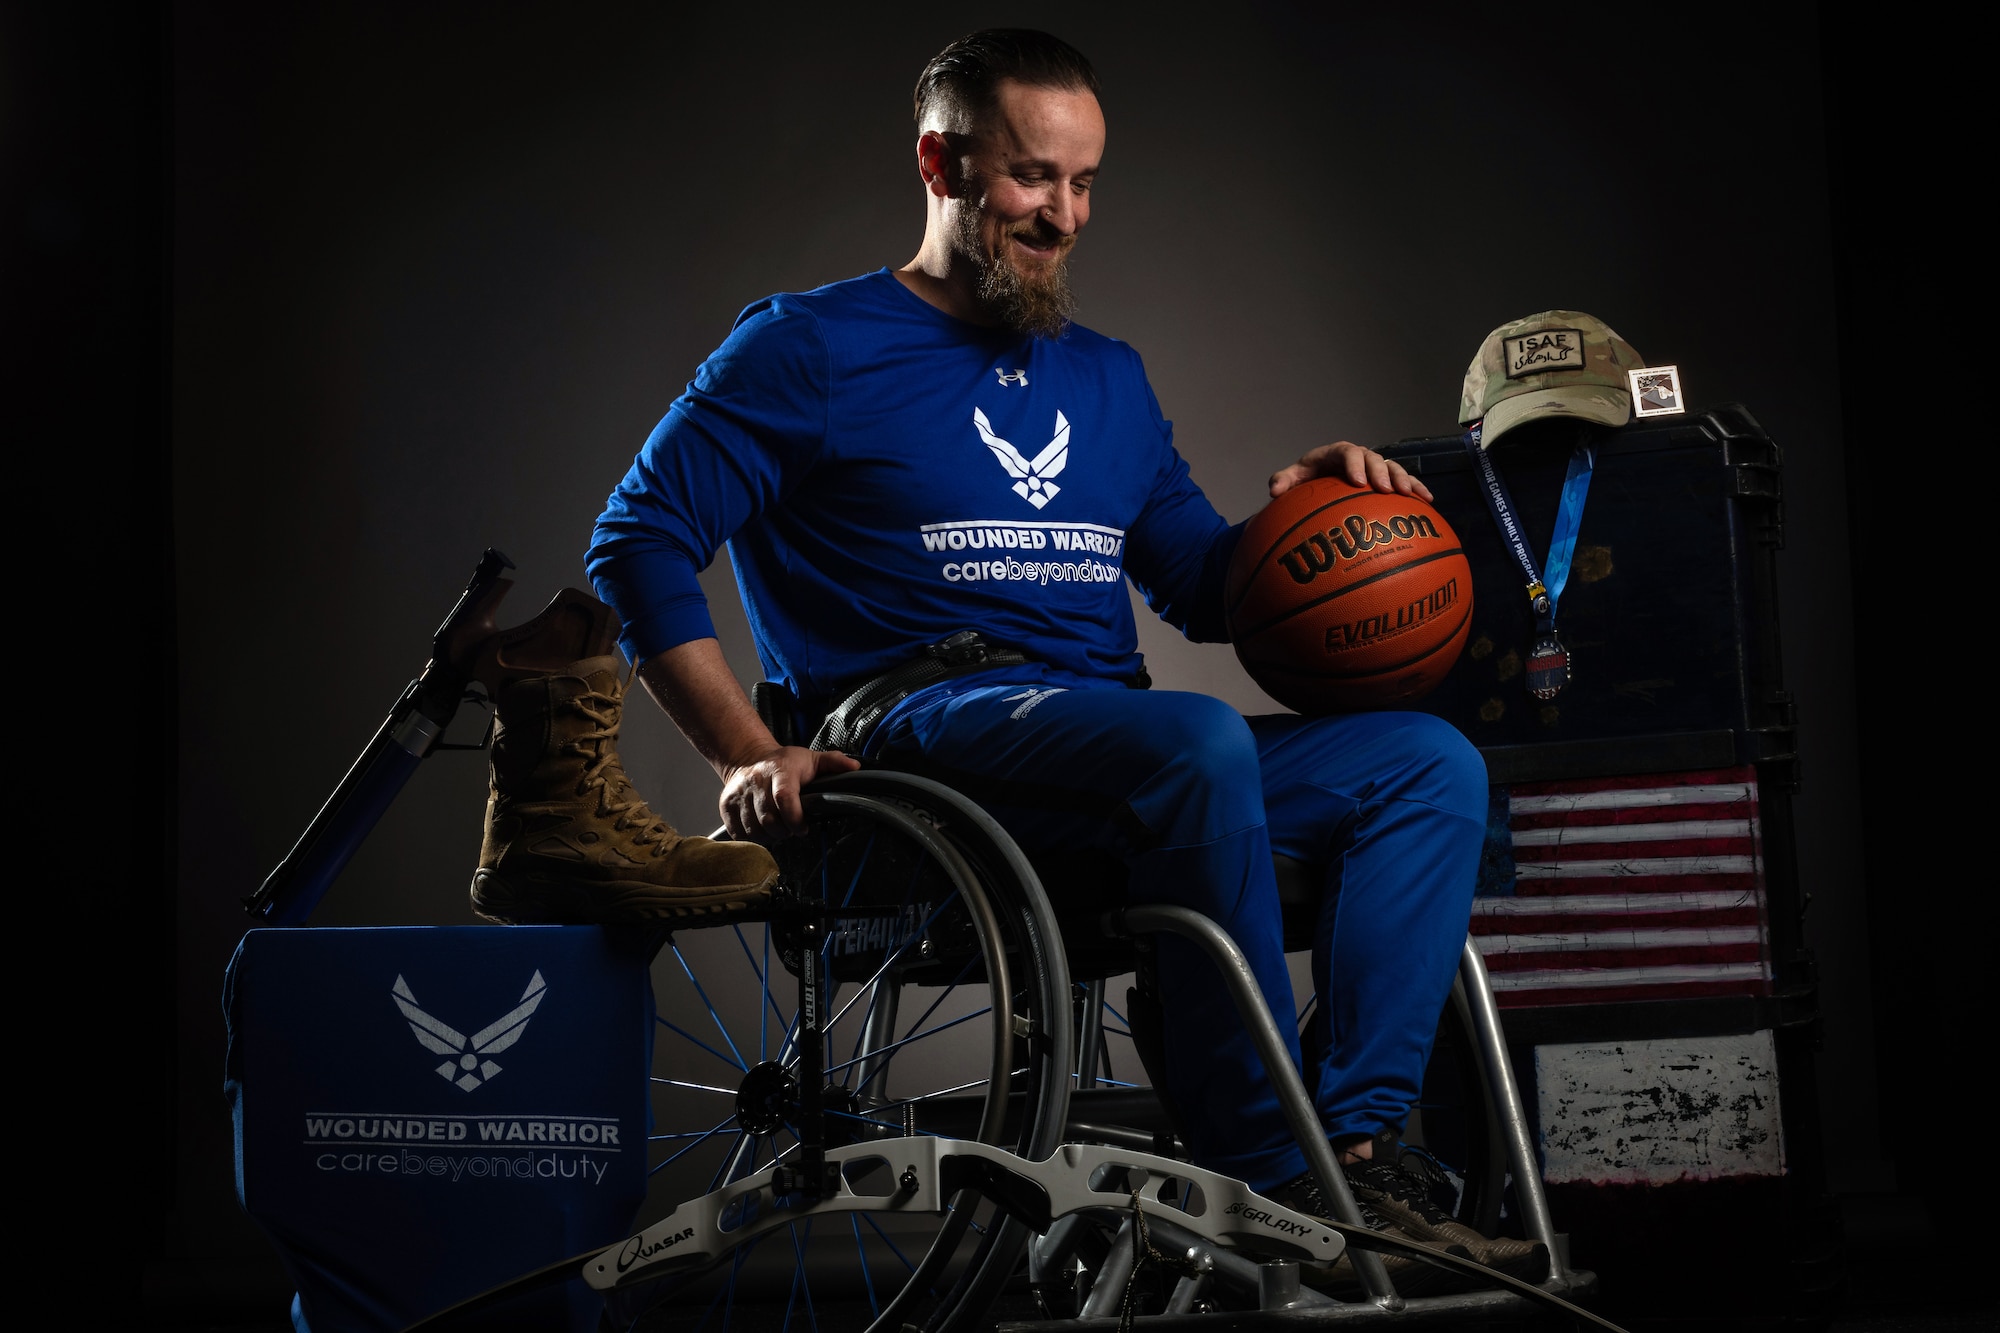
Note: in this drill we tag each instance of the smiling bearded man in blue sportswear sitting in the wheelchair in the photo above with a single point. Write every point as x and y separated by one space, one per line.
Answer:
937 449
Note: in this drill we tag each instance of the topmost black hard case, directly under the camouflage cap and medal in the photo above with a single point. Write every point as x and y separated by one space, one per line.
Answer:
1671 613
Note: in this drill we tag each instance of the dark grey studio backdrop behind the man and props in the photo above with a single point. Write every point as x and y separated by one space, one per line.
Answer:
341 295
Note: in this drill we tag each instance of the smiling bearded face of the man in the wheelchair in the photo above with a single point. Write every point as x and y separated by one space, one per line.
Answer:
1023 197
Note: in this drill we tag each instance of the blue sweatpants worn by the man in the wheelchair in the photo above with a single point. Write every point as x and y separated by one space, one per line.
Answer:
1195 798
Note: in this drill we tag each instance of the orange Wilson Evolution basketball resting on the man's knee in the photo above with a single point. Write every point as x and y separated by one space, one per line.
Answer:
1343 599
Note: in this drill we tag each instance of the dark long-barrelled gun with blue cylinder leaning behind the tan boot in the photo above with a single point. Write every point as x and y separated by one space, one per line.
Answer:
411 732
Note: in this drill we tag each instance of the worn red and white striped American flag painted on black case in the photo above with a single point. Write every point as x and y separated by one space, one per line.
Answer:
1621 890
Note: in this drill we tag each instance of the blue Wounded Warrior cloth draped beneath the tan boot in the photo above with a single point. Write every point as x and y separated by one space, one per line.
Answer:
429 1112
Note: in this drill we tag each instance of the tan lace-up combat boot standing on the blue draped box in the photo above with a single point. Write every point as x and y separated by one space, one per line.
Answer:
567 836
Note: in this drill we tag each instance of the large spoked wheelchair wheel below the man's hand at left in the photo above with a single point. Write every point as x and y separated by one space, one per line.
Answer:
949 1016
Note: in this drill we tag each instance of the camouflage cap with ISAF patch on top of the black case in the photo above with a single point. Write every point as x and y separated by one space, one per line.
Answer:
1557 363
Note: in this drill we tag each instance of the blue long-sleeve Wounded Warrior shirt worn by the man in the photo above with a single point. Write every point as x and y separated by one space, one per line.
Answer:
887 475
